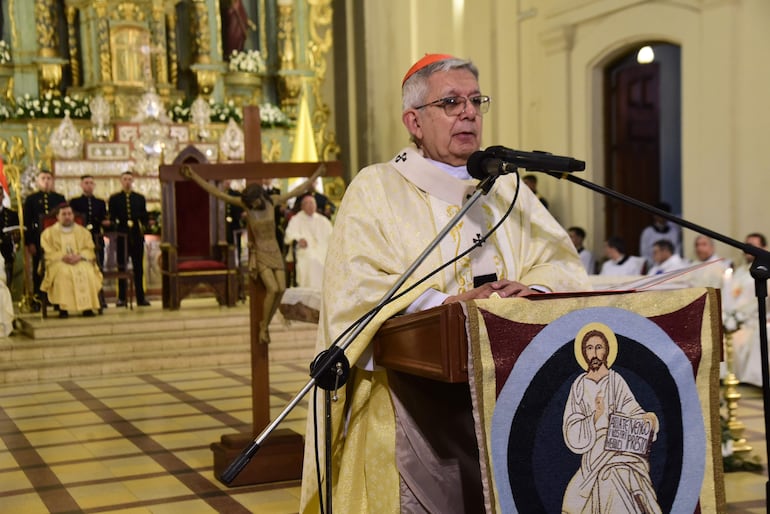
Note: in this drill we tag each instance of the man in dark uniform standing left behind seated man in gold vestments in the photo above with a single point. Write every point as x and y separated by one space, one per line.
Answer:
36 206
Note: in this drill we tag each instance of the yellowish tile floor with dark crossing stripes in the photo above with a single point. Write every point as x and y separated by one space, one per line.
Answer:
140 444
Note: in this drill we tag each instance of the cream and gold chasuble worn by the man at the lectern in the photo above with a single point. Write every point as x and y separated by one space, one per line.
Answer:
389 215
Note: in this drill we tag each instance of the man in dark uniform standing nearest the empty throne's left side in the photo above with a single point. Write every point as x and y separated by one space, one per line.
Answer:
128 214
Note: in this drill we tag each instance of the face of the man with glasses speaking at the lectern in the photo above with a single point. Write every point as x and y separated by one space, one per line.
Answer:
448 139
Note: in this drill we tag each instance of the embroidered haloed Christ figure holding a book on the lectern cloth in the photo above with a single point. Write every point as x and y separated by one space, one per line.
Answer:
608 480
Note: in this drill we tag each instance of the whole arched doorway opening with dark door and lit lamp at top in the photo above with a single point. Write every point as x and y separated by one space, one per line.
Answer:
642 116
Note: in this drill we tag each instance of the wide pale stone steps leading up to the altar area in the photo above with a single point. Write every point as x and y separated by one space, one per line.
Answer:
144 340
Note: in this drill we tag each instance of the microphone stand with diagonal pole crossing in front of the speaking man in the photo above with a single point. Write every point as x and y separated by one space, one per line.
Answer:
330 368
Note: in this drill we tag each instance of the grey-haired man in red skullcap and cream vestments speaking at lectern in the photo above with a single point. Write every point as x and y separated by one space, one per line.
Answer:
388 216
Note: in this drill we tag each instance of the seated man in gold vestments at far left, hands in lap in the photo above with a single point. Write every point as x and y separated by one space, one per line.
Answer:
72 278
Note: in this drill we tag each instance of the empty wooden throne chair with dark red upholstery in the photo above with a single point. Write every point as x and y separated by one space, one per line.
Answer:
195 255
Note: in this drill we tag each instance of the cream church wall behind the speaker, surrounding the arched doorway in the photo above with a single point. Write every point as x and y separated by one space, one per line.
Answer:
541 62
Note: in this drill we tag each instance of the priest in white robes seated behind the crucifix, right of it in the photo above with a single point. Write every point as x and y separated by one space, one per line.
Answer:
310 231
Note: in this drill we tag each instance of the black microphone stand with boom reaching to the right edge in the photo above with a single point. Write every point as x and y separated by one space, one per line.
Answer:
760 271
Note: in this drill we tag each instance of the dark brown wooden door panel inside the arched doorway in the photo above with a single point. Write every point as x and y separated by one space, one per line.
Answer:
633 149
